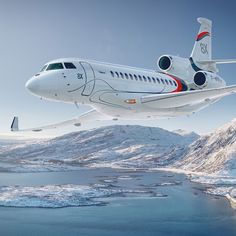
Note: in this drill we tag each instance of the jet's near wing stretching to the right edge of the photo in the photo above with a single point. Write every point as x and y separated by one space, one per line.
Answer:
188 97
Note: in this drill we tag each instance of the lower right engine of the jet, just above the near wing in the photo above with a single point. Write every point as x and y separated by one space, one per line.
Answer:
205 79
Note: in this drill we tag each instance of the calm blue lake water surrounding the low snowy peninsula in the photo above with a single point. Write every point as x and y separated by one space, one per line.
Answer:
186 210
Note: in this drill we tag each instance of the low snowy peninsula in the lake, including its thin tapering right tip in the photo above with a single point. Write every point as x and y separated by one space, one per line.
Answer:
68 195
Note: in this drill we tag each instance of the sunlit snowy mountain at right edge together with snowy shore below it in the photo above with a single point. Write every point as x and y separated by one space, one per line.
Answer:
213 160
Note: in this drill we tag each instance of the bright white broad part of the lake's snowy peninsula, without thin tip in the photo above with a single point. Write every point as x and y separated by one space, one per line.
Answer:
50 196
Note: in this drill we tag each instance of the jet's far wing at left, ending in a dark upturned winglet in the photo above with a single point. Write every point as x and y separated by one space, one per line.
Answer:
85 117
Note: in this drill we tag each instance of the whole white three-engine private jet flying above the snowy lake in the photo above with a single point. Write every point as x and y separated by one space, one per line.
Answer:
182 87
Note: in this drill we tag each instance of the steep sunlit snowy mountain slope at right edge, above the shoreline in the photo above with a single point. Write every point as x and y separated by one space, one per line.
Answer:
213 153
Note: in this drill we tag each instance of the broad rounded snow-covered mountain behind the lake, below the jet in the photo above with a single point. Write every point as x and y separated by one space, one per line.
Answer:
121 146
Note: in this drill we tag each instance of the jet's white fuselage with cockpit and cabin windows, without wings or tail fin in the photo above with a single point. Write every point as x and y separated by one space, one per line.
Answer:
114 90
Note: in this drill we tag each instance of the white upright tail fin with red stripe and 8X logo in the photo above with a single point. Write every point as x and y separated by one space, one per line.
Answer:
202 47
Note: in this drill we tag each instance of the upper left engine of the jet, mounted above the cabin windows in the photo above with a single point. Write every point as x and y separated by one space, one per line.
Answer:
174 65
